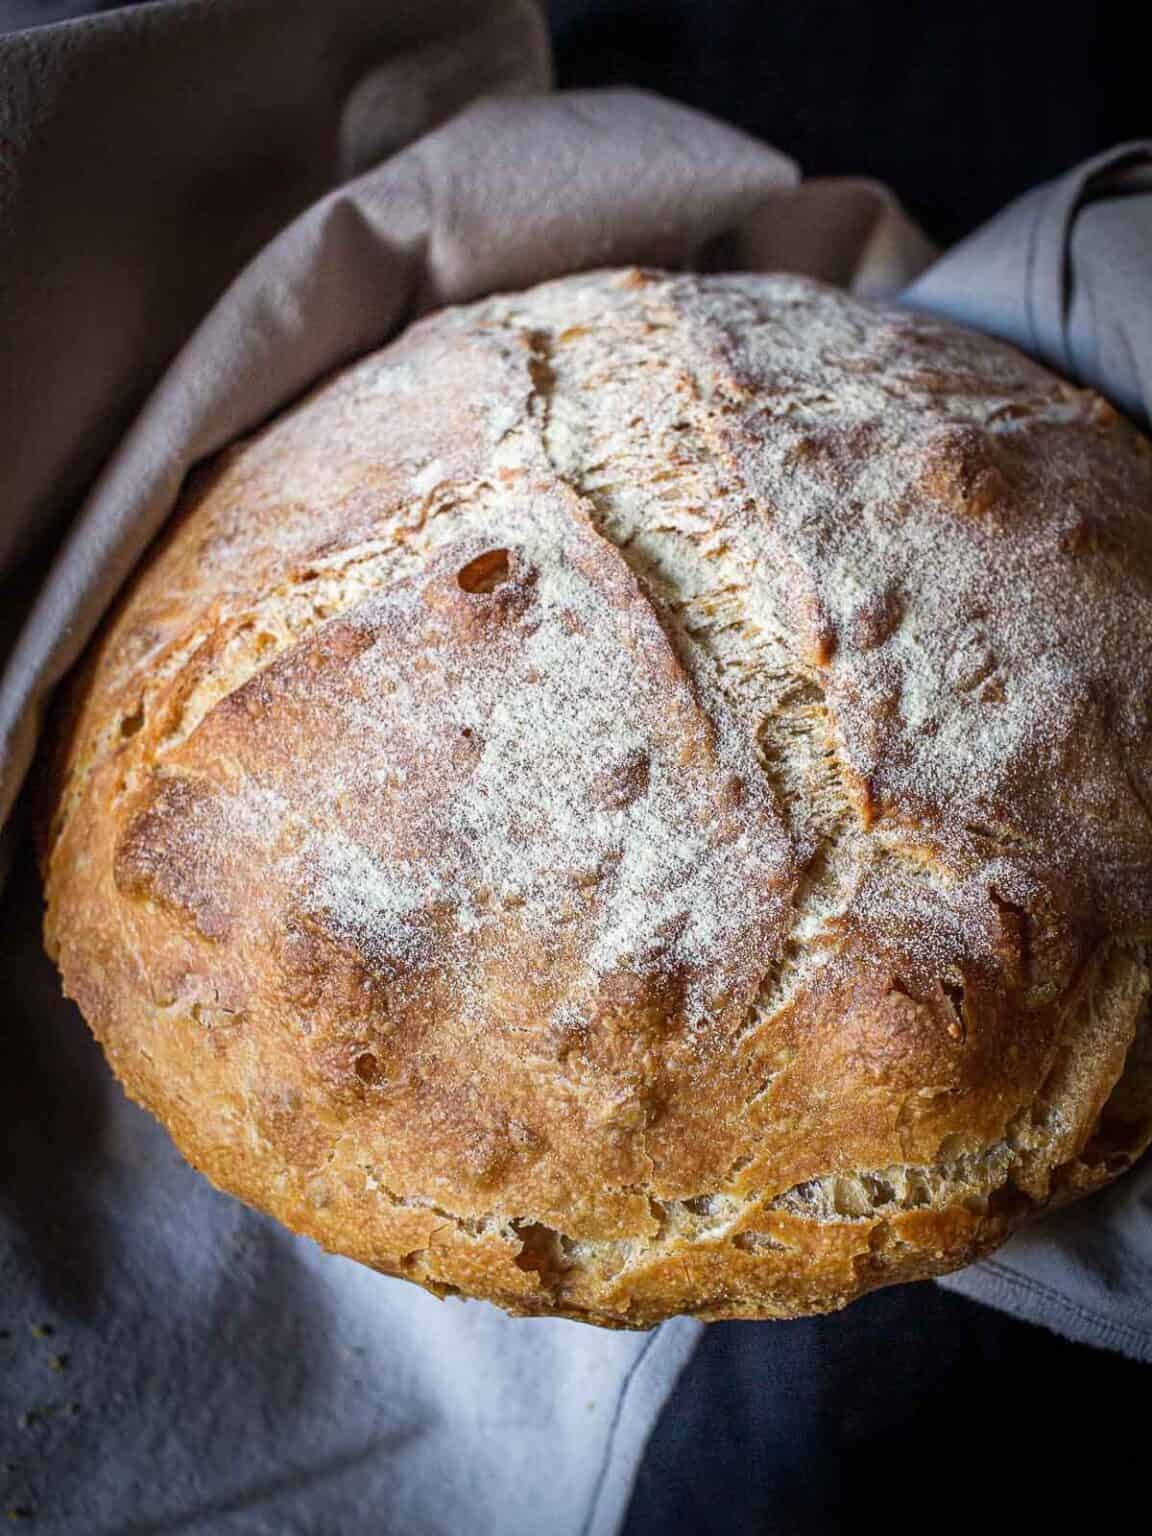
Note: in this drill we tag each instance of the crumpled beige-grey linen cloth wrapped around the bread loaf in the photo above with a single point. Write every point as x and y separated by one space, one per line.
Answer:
205 205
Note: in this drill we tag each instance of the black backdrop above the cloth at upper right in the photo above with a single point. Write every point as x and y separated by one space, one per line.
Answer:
959 107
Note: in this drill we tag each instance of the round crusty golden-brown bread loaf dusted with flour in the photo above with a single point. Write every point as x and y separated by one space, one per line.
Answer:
637 799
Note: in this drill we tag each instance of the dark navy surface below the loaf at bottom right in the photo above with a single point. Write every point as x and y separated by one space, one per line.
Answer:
915 1411
